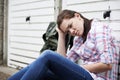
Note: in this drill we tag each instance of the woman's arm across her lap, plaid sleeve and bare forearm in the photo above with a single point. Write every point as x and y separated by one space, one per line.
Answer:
104 48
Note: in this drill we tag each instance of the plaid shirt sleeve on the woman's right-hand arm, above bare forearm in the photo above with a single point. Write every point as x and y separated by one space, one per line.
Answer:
103 43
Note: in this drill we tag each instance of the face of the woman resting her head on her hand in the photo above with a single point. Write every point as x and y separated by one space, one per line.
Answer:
73 26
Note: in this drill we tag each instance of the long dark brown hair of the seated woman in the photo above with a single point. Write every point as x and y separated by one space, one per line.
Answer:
68 14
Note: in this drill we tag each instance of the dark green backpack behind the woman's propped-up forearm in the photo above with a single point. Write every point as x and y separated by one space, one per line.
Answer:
50 38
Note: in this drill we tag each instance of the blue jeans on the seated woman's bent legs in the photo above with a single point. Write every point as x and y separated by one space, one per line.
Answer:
52 66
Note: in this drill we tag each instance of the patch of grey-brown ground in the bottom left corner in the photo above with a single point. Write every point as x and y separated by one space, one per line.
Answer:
5 72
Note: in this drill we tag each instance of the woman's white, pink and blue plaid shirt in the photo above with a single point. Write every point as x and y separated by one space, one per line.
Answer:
100 46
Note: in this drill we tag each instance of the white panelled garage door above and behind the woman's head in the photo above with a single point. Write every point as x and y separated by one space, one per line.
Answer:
95 9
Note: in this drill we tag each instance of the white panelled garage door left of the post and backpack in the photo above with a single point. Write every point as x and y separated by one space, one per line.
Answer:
25 38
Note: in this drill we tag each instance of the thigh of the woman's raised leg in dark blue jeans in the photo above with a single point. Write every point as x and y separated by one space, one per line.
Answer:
66 69
